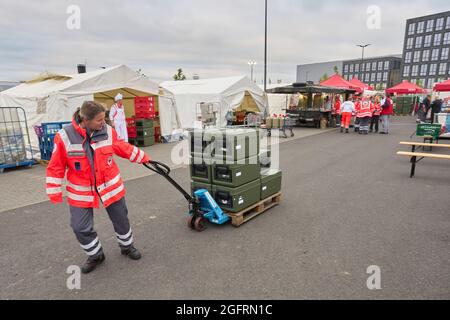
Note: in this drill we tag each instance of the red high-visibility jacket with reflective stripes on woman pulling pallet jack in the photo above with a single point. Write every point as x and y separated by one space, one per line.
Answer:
86 188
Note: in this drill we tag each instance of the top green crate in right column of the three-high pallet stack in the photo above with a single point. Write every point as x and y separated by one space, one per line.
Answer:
237 144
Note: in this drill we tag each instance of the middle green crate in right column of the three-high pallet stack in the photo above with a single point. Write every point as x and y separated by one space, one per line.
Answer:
236 174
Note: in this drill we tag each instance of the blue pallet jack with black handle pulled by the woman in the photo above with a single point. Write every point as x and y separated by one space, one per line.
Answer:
202 206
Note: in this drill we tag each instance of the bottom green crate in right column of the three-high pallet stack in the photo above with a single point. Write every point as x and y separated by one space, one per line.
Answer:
237 199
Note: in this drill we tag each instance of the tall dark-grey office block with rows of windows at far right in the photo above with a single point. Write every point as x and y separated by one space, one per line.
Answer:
426 50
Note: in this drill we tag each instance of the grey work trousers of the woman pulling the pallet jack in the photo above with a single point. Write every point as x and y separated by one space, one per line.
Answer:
82 223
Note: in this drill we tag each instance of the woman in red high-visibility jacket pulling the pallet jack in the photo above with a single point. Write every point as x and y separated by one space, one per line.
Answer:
85 151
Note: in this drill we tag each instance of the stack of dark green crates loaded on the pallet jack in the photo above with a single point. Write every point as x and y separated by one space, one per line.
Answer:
227 164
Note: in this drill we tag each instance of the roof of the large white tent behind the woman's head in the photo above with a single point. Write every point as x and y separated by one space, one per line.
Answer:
55 98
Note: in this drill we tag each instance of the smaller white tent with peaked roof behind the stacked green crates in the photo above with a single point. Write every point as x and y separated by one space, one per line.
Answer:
224 93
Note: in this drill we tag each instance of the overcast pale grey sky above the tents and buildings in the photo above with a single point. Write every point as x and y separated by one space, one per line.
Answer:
212 38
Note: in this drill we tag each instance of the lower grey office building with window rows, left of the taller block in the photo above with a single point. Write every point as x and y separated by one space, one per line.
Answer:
378 72
